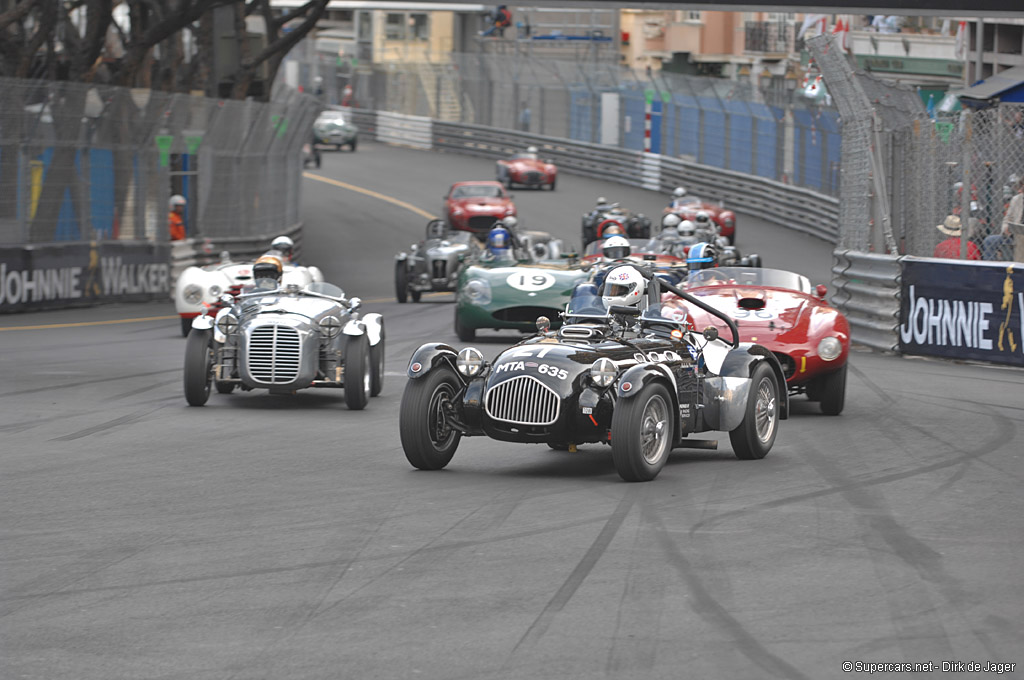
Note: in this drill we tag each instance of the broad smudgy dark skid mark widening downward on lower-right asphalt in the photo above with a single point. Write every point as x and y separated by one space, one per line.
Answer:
913 612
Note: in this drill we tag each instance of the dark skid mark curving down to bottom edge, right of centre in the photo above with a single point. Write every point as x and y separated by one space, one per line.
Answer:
713 612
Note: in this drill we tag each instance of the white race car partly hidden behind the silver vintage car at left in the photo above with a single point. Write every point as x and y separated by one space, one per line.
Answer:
201 288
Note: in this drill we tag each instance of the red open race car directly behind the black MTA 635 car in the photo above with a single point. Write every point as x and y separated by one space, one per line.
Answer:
780 310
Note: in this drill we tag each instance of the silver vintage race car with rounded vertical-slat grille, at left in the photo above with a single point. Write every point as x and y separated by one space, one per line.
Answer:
284 341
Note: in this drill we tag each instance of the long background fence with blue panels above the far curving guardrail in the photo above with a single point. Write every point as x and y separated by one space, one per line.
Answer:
733 124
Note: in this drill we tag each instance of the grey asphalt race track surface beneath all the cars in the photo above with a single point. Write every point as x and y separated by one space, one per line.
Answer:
268 537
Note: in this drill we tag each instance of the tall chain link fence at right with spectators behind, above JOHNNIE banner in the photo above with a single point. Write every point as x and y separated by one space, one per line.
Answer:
905 169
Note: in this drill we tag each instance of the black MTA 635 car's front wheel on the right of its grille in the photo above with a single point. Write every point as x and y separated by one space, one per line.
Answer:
643 434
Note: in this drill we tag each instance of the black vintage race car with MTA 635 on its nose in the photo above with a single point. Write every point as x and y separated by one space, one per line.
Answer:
643 380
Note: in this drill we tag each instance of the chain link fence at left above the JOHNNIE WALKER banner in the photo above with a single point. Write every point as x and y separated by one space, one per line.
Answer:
94 163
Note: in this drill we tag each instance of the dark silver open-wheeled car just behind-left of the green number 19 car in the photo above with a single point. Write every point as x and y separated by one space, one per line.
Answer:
434 264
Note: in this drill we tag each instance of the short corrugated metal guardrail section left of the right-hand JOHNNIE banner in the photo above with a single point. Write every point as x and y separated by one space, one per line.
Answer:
868 291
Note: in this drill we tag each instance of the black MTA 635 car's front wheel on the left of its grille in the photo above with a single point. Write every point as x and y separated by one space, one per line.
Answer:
428 437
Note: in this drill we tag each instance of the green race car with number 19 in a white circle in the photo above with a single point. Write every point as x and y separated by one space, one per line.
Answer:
511 294
